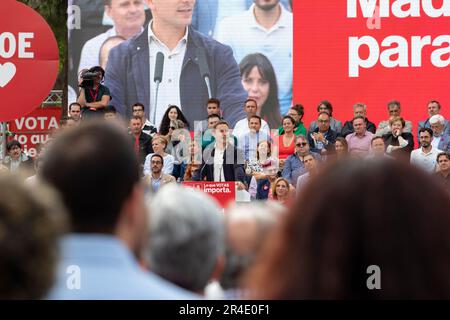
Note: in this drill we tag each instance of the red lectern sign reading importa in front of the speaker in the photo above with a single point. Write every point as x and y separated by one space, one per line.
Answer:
223 192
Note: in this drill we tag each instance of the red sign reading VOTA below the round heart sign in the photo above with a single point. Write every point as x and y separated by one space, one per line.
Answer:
35 128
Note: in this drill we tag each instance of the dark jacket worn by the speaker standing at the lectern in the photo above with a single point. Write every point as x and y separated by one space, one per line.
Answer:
233 164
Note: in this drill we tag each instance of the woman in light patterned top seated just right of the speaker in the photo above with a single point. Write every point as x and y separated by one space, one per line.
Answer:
260 169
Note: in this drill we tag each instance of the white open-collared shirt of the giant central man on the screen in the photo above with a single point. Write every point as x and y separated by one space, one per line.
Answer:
169 88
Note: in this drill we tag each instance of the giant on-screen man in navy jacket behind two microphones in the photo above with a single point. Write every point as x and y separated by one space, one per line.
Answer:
129 68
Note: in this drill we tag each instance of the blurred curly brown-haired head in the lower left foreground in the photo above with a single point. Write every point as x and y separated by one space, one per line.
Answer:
31 222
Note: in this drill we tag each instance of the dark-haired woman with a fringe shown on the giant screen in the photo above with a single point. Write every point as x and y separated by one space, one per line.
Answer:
259 80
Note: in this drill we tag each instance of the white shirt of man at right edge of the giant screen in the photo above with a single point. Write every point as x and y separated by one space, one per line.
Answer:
244 35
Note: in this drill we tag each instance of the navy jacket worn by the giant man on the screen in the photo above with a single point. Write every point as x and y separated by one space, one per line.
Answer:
128 78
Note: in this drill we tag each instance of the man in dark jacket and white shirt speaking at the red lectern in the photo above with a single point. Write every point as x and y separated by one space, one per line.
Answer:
222 161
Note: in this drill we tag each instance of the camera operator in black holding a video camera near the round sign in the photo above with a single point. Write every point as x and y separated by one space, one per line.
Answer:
94 97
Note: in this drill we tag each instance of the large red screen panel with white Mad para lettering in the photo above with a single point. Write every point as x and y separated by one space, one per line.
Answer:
372 51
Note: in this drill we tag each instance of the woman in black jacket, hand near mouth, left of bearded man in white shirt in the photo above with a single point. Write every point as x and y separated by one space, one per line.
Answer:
399 144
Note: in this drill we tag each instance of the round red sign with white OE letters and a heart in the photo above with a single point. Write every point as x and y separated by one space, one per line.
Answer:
28 60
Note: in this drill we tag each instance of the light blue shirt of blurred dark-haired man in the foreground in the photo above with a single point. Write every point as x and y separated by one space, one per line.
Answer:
107 270
